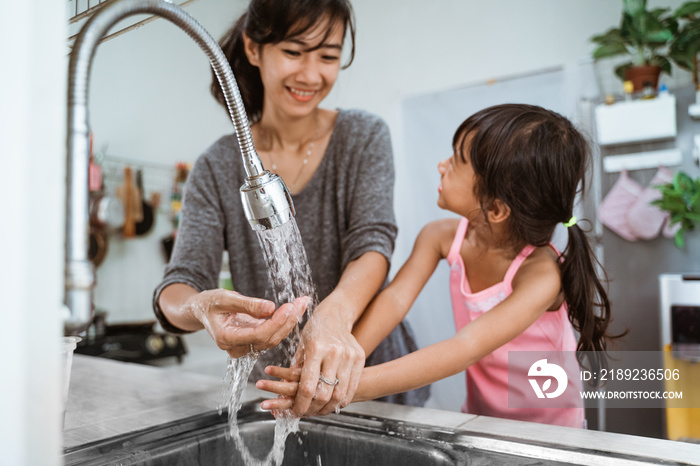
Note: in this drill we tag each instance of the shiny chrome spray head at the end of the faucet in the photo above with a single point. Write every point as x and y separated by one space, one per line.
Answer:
266 201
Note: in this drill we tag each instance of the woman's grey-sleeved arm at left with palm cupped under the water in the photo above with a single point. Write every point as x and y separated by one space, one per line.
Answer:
233 321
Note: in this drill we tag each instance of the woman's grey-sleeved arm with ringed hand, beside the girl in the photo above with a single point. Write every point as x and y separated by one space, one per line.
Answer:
364 180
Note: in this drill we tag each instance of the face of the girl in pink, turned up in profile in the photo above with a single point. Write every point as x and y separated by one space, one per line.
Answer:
456 189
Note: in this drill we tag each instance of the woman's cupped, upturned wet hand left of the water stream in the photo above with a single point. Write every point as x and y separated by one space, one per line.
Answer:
239 324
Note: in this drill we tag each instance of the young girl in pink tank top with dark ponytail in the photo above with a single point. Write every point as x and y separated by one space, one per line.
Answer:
513 177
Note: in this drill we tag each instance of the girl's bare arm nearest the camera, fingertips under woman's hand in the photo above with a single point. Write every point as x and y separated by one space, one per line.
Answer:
536 289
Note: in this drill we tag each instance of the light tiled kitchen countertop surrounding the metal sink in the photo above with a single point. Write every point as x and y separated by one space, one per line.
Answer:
109 398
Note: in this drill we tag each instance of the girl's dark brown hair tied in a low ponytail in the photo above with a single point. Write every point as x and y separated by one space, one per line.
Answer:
535 161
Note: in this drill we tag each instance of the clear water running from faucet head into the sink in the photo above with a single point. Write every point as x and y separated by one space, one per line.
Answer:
290 274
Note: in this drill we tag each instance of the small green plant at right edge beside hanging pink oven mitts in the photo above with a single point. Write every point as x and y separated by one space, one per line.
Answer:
681 199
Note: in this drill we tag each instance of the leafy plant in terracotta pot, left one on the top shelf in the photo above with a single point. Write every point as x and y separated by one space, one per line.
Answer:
644 35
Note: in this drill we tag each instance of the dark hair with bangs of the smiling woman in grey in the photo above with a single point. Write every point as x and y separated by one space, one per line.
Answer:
271 22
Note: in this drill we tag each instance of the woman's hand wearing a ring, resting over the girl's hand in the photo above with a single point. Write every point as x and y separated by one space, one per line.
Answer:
329 353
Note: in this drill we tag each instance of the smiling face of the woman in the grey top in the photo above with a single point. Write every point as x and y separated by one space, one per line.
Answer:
298 73
